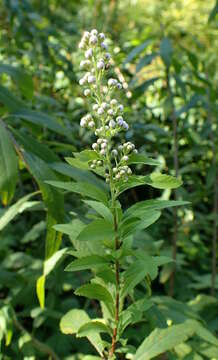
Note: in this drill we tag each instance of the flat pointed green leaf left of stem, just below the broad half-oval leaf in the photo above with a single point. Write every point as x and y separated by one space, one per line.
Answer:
88 262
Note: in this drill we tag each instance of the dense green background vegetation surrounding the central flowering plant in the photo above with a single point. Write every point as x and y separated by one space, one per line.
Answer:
164 55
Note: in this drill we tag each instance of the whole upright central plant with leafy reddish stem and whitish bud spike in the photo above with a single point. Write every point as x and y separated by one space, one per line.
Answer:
104 243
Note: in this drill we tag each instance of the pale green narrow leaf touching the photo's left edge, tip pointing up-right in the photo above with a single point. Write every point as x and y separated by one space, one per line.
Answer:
17 208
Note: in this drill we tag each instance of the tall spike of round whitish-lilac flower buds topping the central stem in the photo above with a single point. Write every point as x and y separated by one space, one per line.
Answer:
106 117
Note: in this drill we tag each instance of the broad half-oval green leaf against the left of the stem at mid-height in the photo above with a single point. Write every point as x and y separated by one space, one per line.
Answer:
97 230
